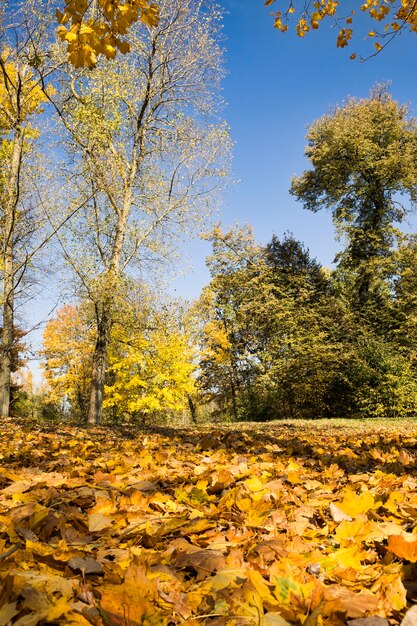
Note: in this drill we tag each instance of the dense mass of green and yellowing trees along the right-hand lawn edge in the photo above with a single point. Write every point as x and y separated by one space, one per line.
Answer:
282 337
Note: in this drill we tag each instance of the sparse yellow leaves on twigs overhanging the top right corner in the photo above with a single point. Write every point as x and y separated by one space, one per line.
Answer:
390 15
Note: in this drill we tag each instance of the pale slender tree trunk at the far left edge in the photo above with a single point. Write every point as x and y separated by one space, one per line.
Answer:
9 208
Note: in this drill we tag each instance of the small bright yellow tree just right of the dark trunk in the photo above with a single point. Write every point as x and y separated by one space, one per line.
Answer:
150 368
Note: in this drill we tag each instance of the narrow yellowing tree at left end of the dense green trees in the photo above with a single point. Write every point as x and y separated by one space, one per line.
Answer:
226 361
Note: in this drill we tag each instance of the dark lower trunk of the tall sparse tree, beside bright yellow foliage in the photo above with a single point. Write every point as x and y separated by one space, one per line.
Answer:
95 408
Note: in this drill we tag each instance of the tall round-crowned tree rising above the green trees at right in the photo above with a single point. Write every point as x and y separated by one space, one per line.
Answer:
364 158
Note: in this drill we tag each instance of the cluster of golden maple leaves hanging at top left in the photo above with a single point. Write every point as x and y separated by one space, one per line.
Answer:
102 30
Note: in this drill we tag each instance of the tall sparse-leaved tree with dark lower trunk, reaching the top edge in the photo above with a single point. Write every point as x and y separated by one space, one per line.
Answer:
148 158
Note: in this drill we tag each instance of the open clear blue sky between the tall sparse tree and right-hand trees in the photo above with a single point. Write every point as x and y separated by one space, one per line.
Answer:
276 85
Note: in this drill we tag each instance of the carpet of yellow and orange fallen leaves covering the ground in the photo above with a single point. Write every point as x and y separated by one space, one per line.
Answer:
311 524
